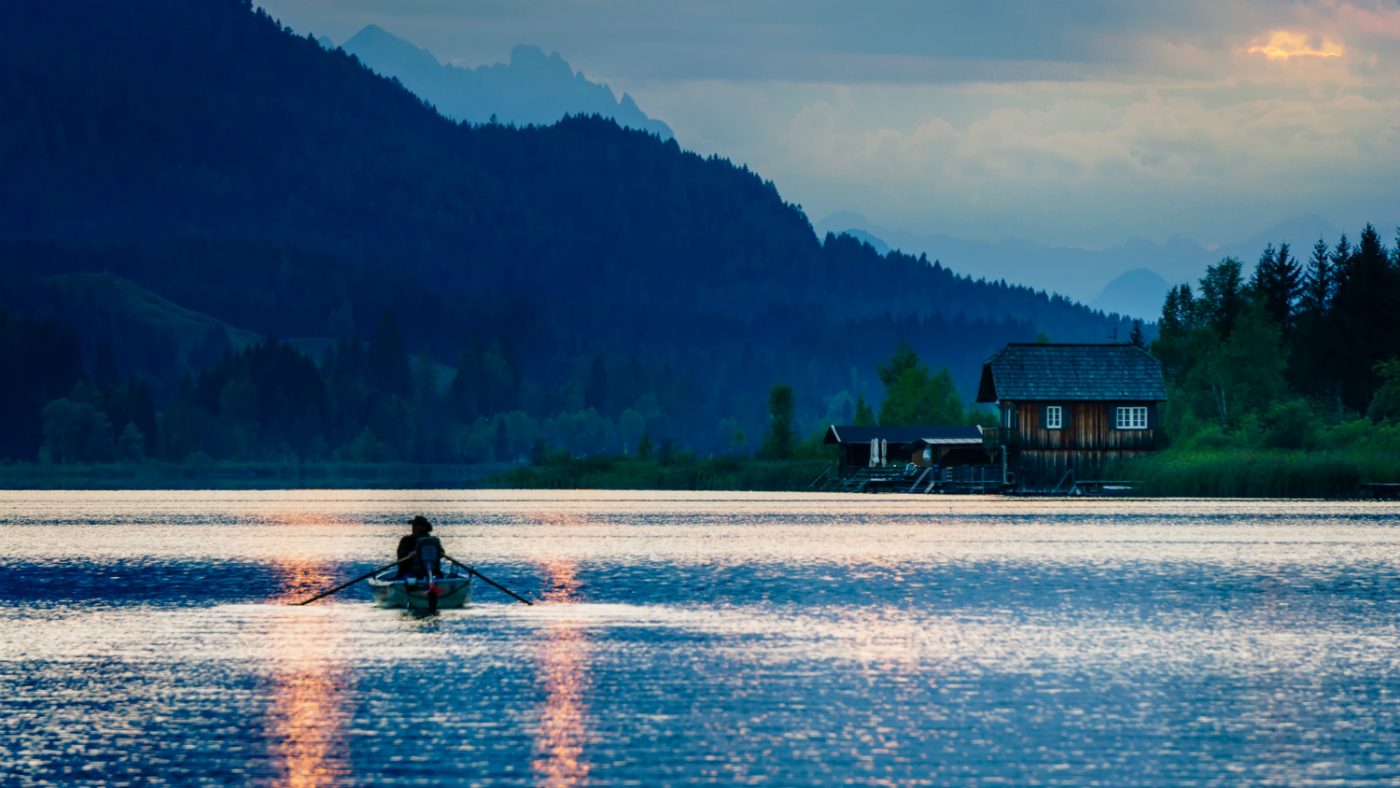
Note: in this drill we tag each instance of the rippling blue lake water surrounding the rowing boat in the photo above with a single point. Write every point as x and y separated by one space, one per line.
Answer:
701 639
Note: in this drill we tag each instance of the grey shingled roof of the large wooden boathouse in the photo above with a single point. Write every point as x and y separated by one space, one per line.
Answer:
1030 373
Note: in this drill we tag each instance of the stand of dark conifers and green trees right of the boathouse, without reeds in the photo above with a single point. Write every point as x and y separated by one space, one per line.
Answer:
1277 358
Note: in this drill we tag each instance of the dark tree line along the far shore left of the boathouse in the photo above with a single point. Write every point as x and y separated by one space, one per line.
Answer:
374 402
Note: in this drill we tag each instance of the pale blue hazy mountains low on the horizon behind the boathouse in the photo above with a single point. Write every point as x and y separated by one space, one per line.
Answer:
1130 279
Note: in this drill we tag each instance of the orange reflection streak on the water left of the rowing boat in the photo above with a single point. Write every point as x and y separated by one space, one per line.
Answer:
309 713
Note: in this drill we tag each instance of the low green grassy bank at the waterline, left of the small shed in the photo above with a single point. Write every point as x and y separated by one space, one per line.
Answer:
680 474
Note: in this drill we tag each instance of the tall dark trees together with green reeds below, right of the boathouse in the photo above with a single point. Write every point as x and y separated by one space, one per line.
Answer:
1284 383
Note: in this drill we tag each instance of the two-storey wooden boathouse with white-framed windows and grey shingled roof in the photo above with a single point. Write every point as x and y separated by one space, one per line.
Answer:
1067 412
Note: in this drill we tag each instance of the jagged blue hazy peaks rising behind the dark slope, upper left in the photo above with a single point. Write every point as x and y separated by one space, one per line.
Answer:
534 89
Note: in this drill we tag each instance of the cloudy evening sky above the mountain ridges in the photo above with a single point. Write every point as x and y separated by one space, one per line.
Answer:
1076 124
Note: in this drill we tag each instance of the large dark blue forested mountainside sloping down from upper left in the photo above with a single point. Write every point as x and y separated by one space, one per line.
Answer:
576 272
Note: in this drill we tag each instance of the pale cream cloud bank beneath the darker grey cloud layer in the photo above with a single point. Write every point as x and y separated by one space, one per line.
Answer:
1080 164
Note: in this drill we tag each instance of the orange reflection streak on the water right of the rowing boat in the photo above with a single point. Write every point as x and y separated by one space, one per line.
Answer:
563 661
